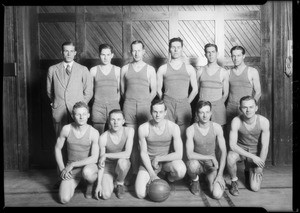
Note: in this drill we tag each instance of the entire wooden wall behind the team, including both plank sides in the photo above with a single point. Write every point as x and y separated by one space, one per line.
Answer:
256 27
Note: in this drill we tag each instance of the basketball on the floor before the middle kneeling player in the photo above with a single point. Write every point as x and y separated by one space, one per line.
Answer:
159 190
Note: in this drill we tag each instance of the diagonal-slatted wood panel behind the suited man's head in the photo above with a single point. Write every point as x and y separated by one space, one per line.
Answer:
52 35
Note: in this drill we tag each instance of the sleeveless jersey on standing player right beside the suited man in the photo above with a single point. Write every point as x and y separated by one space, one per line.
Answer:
106 86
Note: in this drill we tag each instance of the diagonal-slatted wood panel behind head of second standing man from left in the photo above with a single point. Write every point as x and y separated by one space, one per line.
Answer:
103 32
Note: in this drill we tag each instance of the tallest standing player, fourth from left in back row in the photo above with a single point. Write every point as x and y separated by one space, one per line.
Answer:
176 77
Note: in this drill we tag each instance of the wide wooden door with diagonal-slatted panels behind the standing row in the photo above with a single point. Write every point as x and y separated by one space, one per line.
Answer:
197 25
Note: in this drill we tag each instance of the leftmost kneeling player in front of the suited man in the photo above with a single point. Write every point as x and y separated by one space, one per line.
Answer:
83 151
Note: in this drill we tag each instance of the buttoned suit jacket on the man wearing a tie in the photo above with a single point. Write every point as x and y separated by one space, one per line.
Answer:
64 95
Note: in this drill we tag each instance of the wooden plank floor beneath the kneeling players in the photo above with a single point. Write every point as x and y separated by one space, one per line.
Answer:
35 189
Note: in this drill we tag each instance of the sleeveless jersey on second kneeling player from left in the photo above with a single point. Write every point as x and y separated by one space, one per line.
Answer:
111 147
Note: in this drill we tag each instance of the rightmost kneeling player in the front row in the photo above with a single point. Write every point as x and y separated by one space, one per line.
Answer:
249 142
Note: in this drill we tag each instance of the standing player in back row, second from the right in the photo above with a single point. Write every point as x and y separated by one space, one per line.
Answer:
213 84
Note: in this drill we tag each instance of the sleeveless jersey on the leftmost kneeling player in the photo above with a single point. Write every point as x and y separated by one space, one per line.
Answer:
78 148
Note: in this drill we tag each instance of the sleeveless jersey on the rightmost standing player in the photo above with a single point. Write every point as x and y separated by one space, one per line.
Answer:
239 86
